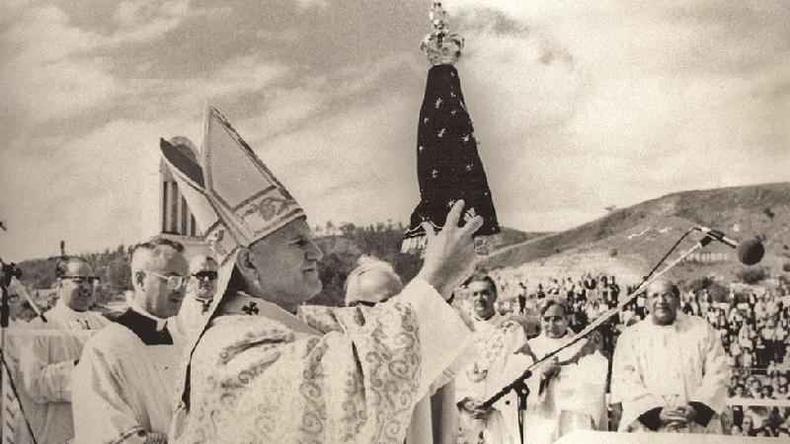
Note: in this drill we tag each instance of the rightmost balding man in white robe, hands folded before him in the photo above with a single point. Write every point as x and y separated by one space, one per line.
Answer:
670 371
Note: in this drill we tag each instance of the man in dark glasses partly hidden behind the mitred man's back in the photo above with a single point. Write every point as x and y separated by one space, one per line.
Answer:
200 292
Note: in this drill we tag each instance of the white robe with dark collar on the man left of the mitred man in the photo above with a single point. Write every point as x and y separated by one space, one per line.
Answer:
126 382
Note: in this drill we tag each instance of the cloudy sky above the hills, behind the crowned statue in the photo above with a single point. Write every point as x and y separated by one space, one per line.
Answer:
577 106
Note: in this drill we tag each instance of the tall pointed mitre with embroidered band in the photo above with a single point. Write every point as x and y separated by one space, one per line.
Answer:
235 199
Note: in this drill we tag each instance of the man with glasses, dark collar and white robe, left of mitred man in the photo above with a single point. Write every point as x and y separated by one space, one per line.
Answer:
124 385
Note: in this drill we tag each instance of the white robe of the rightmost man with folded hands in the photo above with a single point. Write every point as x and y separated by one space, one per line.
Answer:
658 366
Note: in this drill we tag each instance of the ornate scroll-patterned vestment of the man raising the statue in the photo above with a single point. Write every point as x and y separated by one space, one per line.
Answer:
267 377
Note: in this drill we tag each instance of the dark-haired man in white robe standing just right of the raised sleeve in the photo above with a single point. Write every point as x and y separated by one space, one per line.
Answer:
496 358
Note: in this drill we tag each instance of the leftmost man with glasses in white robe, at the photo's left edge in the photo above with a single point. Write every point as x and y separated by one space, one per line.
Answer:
47 357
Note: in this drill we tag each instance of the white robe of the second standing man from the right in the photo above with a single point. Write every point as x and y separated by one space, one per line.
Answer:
575 397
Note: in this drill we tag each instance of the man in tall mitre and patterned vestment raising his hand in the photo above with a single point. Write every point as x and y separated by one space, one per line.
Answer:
259 374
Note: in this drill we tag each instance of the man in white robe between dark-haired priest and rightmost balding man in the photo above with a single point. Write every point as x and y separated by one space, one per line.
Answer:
568 392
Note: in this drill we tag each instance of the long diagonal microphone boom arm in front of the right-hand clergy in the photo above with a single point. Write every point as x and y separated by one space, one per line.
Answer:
519 383
